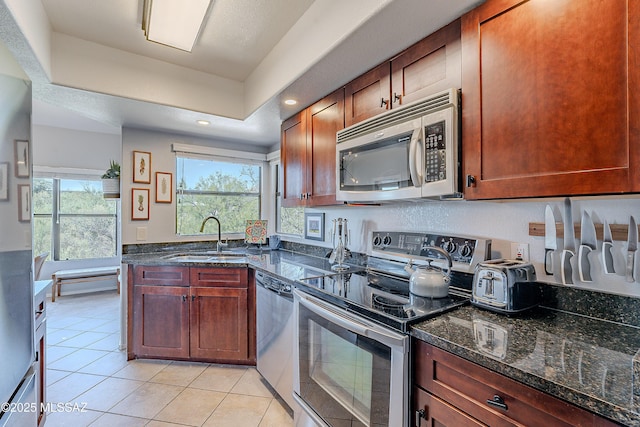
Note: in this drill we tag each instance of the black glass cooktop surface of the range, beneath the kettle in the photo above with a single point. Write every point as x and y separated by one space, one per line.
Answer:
381 298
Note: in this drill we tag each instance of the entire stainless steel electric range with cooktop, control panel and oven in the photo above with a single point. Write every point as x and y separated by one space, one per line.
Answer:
351 350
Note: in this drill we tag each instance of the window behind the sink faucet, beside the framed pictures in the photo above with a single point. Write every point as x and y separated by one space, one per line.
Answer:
229 190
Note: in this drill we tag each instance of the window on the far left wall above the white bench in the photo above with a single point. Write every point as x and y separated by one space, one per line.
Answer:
72 220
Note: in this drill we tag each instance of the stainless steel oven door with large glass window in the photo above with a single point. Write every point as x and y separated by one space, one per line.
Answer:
348 371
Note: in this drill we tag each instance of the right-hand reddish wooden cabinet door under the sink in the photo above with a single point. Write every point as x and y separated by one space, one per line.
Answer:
219 324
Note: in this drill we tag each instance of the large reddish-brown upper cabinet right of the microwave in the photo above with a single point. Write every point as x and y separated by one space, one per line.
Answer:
549 100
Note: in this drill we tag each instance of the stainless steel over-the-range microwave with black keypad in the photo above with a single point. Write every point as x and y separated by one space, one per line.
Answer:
412 152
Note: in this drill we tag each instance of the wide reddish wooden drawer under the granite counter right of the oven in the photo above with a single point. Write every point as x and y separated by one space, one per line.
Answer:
470 387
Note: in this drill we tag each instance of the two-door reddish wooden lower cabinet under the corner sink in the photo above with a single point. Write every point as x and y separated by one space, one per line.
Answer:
207 318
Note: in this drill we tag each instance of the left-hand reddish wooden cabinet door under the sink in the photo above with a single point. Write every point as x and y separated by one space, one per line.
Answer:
161 321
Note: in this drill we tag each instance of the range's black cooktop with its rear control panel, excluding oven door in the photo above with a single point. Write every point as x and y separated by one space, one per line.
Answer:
381 292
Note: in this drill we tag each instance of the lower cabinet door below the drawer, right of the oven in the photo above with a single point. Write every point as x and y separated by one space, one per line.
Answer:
430 411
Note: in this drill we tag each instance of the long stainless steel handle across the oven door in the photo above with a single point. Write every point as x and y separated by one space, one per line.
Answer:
359 326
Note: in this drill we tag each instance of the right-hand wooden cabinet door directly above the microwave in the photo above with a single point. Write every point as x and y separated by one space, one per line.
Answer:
430 66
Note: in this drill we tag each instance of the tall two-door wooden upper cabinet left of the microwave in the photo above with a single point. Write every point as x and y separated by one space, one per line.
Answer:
308 153
